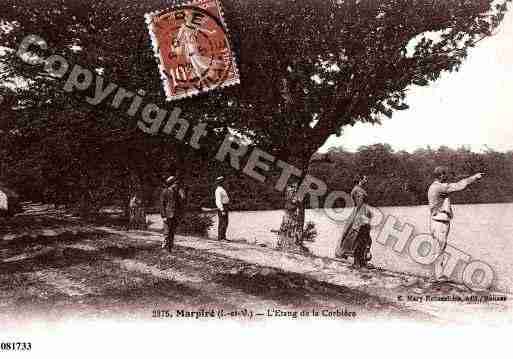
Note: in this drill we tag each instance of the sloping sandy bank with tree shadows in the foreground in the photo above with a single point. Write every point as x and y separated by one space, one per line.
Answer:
54 267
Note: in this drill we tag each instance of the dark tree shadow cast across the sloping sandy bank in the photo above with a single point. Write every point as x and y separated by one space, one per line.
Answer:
115 287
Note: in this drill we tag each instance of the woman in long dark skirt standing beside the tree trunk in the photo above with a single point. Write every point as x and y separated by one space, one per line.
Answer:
356 240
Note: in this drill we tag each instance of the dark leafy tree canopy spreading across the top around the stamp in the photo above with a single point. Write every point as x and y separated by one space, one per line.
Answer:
308 68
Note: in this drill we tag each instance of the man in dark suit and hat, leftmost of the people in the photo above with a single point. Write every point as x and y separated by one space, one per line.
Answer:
172 202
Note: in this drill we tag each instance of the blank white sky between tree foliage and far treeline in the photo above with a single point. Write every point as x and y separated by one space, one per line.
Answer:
472 107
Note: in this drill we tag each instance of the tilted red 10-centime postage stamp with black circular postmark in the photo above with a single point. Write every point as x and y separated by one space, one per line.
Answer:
192 48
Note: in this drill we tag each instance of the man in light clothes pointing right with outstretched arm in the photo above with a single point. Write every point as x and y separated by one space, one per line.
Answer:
441 212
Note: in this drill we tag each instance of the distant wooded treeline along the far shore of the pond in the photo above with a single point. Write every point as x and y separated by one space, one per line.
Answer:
396 178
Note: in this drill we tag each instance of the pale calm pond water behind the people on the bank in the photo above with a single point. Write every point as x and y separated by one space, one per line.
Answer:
483 231
